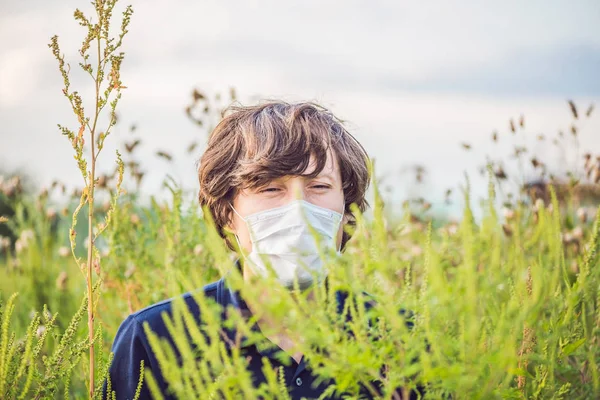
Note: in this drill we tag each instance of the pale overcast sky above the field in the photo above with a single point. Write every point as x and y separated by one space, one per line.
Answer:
413 79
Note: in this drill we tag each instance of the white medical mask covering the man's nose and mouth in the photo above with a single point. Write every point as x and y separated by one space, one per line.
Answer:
283 237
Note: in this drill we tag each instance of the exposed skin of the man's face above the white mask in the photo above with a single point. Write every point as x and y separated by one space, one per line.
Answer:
325 191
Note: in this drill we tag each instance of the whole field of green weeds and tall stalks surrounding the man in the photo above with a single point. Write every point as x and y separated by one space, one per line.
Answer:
502 306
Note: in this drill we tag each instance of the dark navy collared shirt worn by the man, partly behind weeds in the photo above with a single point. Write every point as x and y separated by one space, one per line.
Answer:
131 347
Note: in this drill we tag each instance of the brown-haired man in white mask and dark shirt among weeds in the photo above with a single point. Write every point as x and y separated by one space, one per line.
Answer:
268 172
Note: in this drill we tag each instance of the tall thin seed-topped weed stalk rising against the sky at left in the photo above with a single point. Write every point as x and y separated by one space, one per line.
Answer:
104 69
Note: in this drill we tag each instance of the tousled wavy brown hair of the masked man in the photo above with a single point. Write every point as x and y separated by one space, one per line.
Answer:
253 145
